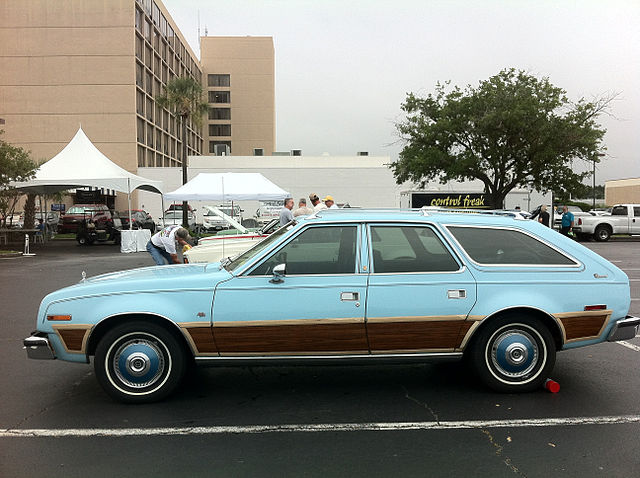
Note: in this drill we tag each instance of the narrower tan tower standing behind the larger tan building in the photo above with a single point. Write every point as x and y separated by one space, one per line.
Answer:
239 76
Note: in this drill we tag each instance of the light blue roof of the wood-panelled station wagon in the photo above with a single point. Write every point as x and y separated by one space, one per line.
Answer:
453 216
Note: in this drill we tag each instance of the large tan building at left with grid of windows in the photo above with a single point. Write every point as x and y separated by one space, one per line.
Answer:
98 64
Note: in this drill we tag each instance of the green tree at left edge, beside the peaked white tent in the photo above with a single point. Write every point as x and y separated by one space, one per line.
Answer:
15 165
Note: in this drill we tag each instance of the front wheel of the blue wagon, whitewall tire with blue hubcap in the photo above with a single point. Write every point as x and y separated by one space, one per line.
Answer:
139 362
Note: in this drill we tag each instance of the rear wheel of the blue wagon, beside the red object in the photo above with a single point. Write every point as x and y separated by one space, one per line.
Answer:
513 353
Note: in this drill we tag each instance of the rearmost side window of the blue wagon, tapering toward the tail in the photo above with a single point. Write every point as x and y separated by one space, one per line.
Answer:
495 246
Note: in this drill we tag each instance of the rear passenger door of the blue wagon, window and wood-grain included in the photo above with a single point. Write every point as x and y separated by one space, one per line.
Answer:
419 294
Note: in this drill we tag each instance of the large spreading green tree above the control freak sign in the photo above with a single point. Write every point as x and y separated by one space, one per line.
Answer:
512 130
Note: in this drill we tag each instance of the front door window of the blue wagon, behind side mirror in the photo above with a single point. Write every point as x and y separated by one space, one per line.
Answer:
317 250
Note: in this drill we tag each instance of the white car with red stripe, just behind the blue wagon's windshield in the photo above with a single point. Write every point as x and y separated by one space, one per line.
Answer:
214 248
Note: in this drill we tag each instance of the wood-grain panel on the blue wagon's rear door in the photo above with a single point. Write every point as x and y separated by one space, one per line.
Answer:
417 335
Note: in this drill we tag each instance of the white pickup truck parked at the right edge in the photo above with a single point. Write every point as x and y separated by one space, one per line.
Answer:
624 219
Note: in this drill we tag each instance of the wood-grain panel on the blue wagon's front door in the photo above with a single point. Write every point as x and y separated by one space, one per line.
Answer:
302 338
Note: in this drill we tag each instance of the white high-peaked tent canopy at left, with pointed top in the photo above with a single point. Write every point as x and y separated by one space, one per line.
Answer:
81 164
